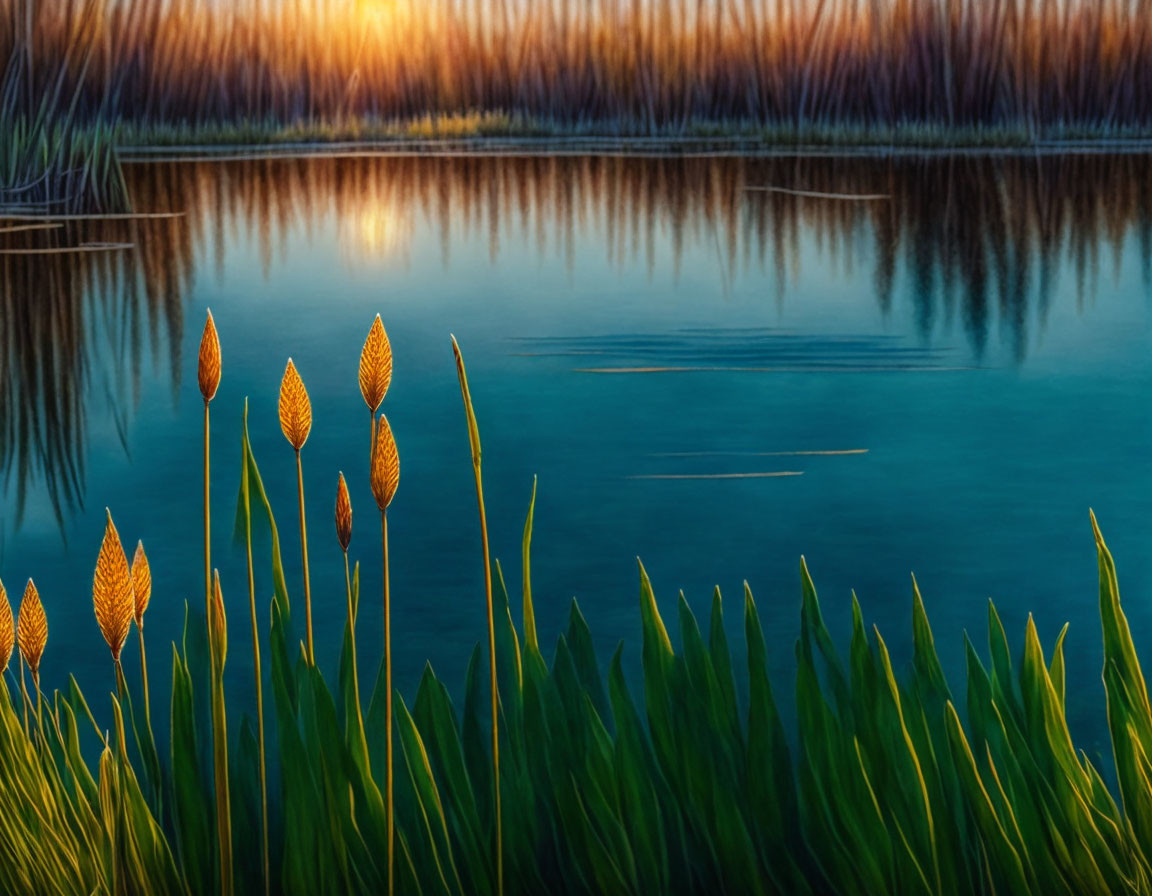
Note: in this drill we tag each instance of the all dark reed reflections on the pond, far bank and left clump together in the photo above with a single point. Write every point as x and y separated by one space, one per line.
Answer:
974 241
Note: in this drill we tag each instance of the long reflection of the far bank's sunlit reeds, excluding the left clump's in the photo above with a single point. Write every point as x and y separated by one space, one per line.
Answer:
981 239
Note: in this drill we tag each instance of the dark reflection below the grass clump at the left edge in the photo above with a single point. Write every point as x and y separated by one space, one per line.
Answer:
77 332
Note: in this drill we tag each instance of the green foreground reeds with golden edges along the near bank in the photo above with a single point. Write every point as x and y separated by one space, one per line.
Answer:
892 780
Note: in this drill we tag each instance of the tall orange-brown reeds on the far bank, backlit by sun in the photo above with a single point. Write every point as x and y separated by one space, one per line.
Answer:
671 67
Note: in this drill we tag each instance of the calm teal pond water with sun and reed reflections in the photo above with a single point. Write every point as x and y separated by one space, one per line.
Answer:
952 376
